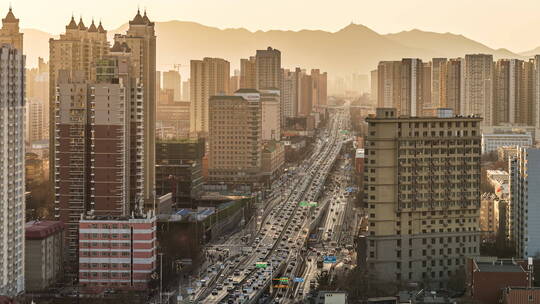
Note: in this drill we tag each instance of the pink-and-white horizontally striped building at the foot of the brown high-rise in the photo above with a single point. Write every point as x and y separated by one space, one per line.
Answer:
117 253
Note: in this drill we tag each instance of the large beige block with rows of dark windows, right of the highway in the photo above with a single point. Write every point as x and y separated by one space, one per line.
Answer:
422 189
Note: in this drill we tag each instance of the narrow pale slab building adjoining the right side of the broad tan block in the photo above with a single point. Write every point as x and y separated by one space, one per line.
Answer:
271 114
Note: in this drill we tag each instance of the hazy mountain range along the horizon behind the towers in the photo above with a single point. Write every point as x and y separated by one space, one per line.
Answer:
353 49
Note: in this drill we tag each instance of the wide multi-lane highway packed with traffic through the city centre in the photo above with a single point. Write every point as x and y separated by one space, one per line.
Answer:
278 244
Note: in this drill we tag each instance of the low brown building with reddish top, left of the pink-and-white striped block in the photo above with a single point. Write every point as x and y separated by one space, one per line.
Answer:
44 254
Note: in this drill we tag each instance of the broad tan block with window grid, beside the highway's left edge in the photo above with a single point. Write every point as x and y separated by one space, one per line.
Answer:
235 161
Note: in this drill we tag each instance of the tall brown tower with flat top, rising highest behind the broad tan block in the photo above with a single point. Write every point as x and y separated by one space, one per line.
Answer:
268 63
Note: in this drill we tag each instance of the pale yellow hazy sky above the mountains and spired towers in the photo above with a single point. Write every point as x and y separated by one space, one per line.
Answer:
496 23
